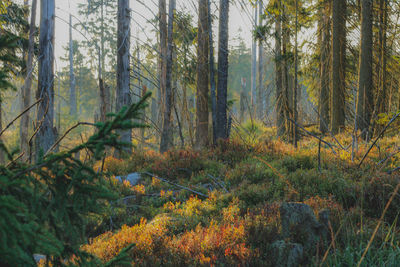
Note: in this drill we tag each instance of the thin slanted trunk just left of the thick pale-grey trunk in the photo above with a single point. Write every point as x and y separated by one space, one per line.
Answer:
26 89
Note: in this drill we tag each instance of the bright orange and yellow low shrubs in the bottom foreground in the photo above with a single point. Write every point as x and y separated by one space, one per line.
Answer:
155 243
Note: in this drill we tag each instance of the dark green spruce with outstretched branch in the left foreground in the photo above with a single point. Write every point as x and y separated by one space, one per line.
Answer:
44 207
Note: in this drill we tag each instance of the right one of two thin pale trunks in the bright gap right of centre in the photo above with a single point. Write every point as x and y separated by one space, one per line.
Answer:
260 92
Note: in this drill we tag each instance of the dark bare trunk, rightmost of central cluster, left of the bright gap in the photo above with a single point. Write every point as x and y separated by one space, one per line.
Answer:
223 53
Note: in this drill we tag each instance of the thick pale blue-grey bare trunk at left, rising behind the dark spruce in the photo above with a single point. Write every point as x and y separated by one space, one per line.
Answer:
46 135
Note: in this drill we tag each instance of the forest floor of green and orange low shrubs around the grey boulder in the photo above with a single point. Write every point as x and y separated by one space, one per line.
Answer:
230 214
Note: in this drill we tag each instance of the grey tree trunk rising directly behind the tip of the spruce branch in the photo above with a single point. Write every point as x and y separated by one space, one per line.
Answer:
123 66
